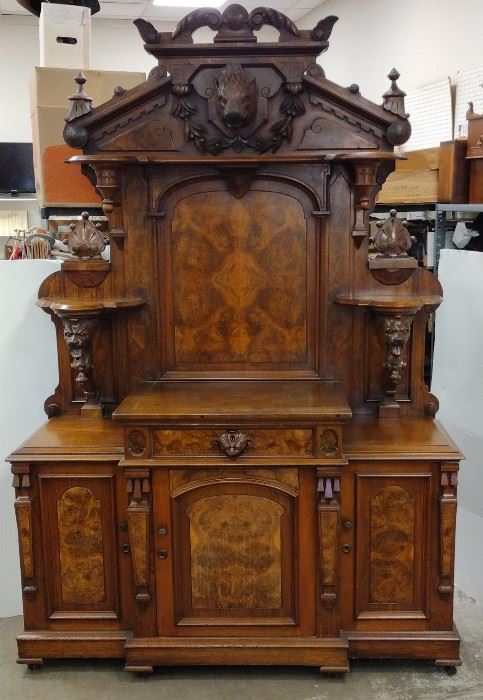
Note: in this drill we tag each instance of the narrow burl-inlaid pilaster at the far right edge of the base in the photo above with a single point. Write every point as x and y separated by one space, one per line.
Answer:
447 526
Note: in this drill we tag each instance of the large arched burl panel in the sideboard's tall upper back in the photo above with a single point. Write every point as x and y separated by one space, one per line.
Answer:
240 265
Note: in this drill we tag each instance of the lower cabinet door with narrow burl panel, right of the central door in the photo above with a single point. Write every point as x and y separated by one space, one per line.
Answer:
389 562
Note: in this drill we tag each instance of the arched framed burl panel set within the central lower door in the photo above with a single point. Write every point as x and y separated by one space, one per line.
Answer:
234 553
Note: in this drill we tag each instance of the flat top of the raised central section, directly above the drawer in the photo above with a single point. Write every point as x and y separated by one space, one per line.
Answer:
235 400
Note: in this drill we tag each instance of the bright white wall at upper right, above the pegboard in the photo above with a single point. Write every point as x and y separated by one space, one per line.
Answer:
423 39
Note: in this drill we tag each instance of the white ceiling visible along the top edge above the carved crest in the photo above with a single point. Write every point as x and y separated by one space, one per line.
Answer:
130 9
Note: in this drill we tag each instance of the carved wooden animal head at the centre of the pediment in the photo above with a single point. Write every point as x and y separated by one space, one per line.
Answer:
236 96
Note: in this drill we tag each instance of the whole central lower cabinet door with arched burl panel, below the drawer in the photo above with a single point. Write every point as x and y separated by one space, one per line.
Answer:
226 551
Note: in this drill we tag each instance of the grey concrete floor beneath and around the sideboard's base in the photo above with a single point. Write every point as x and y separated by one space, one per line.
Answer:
368 680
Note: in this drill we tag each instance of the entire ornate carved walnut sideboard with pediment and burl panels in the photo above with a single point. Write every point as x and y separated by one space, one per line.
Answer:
241 463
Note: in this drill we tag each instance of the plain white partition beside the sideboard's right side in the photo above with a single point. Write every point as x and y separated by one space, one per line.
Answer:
458 383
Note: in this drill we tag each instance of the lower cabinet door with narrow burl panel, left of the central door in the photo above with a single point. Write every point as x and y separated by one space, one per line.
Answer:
80 547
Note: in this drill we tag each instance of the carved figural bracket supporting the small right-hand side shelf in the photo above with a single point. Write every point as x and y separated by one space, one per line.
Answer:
397 330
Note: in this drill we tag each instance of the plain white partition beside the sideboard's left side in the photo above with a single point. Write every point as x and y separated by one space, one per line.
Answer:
28 375
